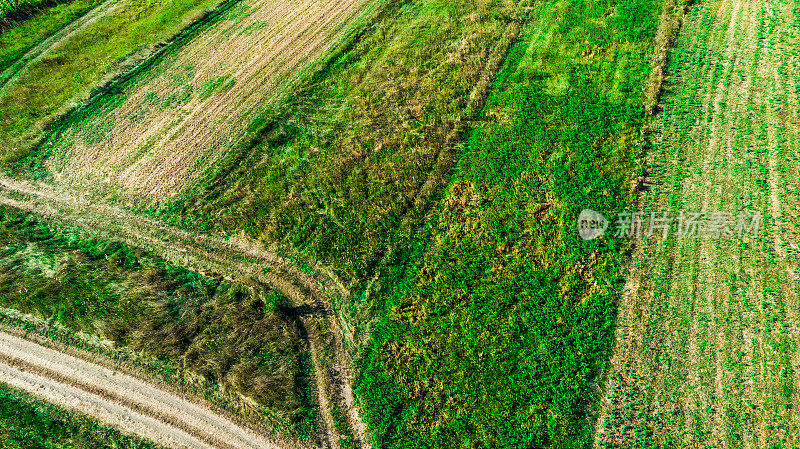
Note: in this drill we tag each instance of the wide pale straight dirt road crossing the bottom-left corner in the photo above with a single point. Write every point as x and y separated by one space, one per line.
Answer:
117 399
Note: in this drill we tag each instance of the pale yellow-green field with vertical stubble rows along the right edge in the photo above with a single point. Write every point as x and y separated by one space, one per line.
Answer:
708 339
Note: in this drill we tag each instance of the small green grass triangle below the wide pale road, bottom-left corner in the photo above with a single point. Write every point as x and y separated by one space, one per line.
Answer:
27 423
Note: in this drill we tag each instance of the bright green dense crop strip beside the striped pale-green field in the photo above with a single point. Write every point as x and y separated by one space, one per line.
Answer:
497 325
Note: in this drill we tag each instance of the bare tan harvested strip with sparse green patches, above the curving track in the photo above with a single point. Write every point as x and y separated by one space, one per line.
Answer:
171 124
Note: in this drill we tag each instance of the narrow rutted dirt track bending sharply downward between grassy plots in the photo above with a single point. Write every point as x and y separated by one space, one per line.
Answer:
235 259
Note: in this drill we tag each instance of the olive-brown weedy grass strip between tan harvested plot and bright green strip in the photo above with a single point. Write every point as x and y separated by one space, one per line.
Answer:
338 167
